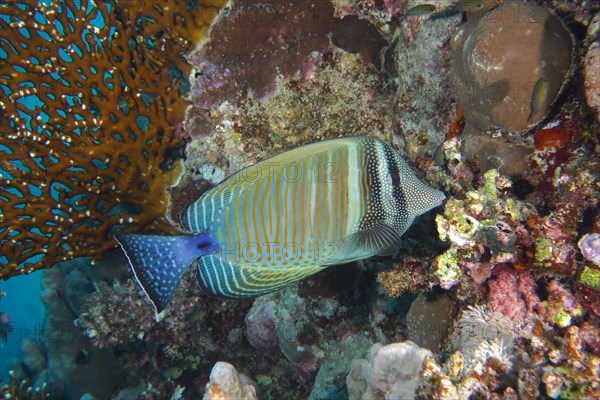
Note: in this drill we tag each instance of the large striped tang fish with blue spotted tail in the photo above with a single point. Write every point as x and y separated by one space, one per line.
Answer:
286 218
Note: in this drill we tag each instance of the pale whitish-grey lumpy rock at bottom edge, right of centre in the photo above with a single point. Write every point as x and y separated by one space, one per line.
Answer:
391 371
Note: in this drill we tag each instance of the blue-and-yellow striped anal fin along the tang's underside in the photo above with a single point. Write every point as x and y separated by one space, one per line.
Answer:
220 277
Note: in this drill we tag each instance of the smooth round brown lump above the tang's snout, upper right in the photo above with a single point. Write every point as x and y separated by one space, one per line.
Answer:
497 61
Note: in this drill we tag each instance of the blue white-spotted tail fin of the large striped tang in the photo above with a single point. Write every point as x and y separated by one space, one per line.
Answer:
159 262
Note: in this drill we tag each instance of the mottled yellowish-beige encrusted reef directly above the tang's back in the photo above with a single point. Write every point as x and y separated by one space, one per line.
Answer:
342 95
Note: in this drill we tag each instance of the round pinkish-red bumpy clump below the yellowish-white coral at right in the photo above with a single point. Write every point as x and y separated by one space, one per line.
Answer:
513 294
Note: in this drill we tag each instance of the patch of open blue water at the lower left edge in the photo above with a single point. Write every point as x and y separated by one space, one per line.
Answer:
24 307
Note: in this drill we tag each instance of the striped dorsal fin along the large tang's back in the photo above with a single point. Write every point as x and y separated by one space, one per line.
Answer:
199 215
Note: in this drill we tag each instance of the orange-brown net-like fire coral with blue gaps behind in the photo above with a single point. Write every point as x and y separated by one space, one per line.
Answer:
90 94
